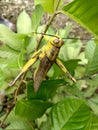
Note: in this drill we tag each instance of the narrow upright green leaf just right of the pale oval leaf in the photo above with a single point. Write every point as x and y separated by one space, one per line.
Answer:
36 17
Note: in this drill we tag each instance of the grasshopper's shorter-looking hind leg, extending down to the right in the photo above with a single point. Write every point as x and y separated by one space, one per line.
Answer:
60 64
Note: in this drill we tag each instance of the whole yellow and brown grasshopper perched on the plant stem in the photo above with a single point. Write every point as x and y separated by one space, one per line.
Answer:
47 56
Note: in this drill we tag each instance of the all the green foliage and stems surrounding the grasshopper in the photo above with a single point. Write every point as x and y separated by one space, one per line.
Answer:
59 104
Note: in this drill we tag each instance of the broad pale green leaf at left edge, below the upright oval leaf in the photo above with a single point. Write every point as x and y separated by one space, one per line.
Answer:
10 38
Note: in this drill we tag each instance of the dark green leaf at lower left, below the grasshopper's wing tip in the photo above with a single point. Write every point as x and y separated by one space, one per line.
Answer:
31 108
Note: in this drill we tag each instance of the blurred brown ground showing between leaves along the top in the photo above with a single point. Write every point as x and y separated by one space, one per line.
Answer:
10 9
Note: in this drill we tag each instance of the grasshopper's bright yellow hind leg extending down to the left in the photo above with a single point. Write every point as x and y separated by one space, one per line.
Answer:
26 66
